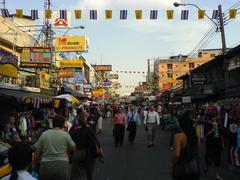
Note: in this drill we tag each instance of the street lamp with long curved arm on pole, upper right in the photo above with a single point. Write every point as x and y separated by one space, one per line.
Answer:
215 24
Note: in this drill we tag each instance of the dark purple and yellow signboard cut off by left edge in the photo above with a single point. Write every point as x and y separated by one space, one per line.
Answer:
8 64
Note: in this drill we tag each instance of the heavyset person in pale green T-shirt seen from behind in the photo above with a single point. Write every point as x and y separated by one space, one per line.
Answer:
53 146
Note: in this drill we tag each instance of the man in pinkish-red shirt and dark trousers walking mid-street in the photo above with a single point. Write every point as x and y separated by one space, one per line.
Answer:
119 121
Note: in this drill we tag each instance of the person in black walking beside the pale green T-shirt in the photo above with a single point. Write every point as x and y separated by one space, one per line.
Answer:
83 160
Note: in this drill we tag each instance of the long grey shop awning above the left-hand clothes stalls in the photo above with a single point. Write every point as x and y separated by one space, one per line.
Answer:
23 94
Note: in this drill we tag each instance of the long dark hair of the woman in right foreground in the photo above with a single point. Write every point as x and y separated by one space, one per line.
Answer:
186 125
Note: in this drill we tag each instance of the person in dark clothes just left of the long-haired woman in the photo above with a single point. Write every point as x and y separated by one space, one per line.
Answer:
172 125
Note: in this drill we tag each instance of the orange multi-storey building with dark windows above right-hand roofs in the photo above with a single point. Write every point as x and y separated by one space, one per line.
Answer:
168 70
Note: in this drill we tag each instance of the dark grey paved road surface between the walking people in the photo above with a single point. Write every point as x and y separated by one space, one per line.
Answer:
138 162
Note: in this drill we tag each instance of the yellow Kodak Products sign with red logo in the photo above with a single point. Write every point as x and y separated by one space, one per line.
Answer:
71 44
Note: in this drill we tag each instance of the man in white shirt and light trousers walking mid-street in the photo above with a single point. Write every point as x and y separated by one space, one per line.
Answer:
151 121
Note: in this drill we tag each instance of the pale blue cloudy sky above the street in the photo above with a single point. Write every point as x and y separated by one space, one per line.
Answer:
127 44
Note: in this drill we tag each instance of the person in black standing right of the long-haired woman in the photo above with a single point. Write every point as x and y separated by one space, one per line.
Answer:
214 144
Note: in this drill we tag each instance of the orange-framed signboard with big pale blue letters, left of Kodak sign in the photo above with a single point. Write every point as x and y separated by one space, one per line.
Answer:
34 57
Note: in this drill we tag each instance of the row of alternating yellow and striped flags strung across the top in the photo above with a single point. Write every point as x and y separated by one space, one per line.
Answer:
93 14
